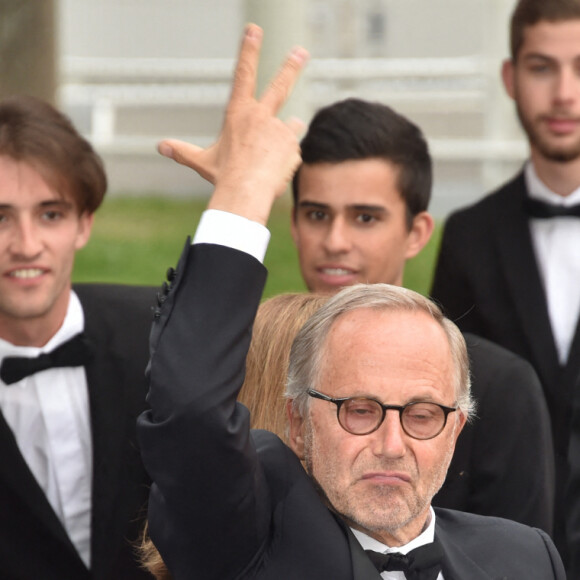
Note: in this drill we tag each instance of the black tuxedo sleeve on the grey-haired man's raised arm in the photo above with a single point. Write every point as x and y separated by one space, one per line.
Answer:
208 510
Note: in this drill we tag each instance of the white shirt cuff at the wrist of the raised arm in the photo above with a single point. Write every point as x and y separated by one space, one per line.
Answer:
234 231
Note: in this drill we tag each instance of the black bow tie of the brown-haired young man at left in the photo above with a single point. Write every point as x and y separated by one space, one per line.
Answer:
72 353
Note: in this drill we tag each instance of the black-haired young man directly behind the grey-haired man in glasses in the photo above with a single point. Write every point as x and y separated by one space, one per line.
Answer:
360 212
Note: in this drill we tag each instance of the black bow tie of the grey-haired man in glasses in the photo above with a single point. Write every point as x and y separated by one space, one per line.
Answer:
422 563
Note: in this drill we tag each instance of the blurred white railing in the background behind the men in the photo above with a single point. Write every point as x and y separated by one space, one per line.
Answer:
427 85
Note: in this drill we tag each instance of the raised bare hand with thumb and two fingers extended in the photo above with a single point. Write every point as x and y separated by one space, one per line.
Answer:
256 154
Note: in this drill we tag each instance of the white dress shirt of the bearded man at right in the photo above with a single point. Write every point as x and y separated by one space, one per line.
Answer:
557 247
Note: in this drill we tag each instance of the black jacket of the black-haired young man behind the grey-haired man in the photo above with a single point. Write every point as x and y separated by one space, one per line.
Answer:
482 478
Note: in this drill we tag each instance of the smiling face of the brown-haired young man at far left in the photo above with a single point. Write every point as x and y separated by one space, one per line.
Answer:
40 232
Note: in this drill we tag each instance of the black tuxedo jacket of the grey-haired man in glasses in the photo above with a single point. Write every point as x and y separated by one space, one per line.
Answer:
230 503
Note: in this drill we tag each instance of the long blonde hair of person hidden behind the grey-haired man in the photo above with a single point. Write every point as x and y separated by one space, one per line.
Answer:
277 322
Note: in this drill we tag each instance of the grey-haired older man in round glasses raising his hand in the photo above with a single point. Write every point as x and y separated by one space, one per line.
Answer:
378 393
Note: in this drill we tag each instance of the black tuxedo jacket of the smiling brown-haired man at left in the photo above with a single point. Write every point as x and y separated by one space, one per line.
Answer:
33 542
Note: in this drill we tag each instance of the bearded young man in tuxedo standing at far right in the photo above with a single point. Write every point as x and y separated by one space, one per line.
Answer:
509 265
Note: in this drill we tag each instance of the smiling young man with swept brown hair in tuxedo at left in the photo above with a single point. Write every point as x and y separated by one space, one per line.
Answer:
72 486
